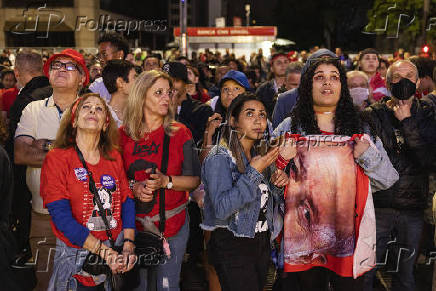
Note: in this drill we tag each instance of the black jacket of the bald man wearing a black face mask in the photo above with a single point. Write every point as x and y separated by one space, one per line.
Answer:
409 154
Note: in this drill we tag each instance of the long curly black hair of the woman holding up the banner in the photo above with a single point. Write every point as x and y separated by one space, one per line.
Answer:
347 119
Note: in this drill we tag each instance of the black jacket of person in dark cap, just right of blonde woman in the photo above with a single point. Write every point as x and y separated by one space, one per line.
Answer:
194 114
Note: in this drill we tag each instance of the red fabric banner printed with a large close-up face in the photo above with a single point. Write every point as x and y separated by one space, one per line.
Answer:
325 200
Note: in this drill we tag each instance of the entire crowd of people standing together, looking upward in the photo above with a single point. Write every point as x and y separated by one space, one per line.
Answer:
308 165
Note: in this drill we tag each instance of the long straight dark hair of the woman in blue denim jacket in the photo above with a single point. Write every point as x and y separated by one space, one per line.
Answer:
229 135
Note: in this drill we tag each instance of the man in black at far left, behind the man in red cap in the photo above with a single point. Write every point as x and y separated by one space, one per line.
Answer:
35 86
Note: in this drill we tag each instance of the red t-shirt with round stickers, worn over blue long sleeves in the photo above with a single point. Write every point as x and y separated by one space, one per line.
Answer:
63 177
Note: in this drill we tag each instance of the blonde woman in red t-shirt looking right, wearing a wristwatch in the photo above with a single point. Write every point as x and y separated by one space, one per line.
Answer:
148 120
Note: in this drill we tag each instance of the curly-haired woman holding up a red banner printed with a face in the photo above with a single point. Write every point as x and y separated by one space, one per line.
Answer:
335 165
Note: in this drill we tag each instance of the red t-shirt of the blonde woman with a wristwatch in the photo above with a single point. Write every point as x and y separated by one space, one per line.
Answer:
141 155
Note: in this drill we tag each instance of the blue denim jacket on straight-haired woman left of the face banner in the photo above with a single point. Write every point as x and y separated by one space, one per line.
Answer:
233 199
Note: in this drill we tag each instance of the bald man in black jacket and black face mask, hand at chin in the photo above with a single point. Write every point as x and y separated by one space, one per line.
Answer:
399 209
